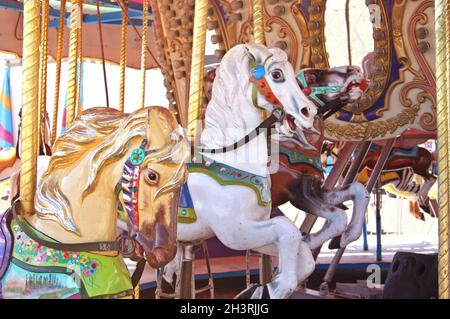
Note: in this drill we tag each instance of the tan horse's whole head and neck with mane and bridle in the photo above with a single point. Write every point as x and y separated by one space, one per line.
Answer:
105 158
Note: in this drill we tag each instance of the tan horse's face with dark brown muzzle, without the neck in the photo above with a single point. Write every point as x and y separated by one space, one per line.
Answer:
161 176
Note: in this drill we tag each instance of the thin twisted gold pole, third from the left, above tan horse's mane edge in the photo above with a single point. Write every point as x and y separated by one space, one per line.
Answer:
59 47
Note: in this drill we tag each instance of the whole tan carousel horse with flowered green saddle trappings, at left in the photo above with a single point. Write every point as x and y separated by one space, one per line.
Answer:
69 247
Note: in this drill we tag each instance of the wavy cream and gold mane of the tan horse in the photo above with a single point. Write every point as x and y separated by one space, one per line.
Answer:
99 133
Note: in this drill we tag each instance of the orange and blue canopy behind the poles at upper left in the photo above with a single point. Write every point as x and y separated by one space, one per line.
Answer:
11 34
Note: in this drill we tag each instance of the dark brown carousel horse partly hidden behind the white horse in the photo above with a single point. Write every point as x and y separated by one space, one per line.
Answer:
299 179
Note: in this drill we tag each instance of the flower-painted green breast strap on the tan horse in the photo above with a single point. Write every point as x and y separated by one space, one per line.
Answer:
100 275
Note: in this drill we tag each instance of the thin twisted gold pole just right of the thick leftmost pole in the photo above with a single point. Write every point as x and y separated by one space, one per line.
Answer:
43 67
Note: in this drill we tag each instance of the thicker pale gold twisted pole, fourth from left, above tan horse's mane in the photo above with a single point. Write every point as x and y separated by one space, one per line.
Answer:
75 22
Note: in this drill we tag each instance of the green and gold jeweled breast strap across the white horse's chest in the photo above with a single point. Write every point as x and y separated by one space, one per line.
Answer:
227 175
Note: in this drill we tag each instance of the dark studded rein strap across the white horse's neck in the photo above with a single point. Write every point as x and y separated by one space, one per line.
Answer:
277 115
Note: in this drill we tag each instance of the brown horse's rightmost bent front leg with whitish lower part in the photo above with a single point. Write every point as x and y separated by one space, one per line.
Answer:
358 193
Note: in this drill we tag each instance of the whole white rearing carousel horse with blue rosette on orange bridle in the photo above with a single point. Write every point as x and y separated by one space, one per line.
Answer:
230 190
